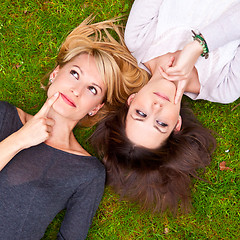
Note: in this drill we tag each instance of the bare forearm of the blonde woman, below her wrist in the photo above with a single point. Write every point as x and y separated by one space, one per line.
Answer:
9 147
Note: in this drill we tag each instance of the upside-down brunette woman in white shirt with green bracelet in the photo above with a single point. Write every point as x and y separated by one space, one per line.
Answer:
154 144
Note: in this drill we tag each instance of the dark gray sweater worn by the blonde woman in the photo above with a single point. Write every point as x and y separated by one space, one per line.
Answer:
41 181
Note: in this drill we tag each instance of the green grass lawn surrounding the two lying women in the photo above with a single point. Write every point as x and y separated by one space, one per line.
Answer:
30 34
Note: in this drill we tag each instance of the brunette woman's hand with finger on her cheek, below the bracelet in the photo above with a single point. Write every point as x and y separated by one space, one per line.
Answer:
180 68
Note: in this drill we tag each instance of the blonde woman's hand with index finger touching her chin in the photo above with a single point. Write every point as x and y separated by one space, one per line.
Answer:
39 127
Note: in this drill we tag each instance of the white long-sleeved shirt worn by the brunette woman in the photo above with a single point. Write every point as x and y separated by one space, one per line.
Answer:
156 27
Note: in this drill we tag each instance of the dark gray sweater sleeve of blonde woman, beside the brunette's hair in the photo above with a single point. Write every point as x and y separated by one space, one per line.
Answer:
81 208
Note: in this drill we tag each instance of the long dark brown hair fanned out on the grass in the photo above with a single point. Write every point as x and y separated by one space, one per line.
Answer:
156 178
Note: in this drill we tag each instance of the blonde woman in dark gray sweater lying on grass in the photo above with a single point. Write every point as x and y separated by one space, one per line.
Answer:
43 167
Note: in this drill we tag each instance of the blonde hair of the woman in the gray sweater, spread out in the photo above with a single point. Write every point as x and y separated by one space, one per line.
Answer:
118 68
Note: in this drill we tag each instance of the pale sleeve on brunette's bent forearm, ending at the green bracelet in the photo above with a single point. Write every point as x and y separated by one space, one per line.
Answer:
224 29
